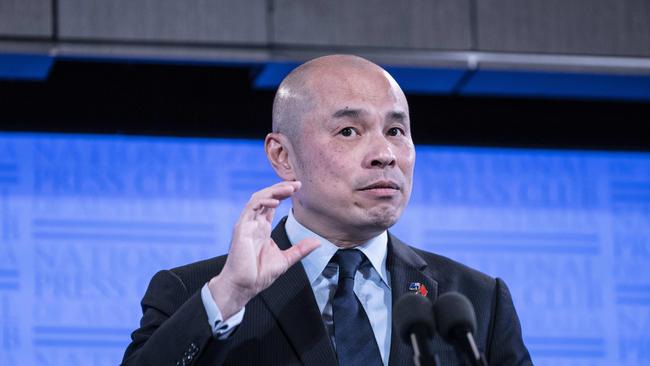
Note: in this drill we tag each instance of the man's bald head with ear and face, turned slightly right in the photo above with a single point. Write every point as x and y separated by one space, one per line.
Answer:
341 126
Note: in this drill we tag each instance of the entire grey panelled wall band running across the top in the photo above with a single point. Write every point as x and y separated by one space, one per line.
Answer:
574 27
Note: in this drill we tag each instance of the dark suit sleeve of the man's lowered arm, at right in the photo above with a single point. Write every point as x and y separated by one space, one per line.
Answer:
505 344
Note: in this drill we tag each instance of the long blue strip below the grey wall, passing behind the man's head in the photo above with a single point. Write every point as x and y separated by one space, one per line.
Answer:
508 83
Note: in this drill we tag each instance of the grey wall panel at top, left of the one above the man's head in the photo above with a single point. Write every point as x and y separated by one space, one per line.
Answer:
238 21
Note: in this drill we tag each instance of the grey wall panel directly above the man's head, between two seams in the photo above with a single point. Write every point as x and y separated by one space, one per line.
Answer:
439 24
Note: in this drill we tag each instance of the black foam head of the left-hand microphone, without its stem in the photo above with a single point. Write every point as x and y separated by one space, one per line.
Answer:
413 314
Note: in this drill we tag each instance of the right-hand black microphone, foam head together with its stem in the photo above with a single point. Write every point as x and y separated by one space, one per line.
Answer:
456 323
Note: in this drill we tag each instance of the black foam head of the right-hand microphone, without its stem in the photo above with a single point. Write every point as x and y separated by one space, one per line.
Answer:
454 316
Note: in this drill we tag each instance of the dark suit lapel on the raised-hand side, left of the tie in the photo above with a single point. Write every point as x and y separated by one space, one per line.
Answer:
291 300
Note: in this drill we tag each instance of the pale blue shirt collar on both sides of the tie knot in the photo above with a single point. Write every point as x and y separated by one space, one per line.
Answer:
374 249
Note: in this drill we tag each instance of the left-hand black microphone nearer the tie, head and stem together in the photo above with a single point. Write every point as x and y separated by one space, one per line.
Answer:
413 320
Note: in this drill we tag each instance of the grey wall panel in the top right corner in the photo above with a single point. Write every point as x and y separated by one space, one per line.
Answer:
603 27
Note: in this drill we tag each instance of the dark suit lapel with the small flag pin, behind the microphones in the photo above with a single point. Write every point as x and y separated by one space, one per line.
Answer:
405 267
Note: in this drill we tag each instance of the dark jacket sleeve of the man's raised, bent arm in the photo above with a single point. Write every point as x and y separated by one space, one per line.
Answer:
174 327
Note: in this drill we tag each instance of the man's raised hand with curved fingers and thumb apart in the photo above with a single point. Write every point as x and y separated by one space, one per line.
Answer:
254 260
